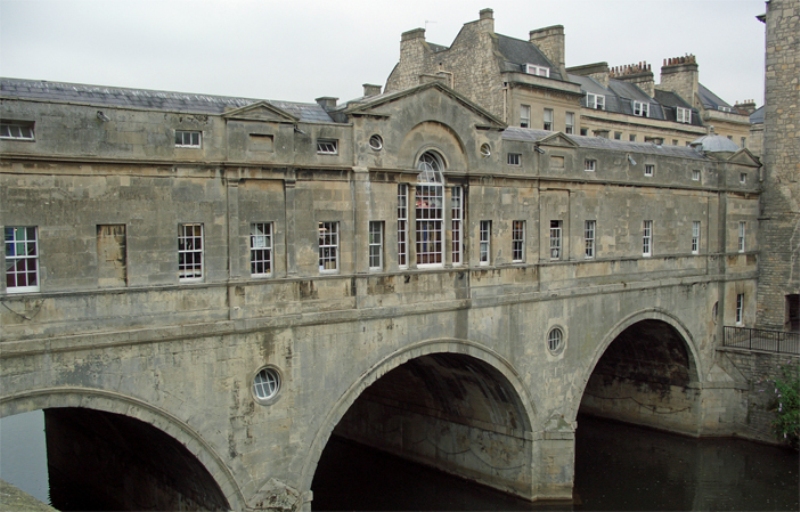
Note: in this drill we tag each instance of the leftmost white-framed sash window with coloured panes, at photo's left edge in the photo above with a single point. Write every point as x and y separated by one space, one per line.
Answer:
22 259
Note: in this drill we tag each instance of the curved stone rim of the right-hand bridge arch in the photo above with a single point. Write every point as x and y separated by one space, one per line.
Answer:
695 370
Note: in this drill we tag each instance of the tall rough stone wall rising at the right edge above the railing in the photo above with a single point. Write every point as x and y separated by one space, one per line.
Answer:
779 241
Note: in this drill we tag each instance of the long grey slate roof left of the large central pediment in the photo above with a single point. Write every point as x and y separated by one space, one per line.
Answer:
147 99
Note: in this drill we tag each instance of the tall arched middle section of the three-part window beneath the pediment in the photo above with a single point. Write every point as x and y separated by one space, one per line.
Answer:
429 212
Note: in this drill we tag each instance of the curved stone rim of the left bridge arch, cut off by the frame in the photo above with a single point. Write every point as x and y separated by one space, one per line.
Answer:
117 403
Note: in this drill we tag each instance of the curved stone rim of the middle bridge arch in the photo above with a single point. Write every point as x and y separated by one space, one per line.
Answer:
494 362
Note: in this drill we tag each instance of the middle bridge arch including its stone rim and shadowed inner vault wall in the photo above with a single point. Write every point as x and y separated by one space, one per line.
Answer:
471 392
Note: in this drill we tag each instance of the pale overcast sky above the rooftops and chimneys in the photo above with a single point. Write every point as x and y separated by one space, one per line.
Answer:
303 49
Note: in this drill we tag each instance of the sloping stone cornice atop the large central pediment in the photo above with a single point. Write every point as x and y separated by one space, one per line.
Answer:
373 106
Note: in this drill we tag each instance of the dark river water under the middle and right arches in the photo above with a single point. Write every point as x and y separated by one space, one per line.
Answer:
617 467
